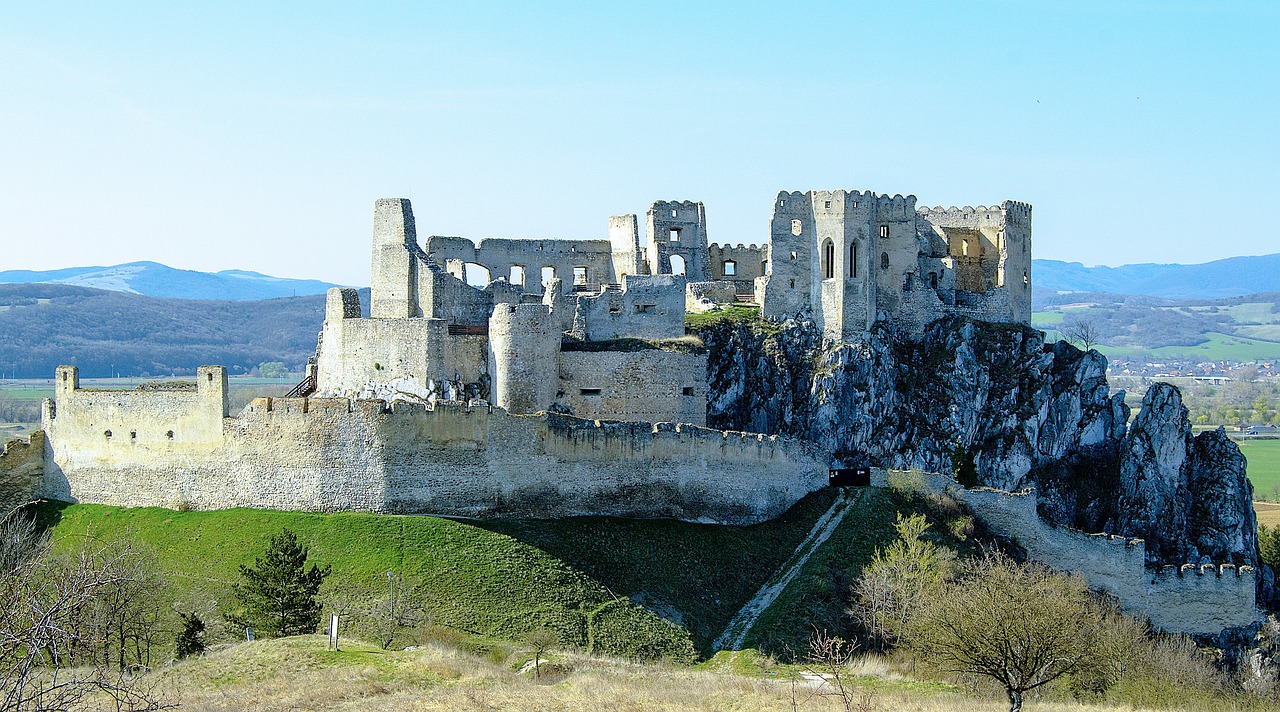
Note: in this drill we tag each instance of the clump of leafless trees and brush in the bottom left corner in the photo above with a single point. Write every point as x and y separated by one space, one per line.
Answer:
48 640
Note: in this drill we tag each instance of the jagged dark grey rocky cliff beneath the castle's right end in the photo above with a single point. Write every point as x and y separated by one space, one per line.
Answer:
1003 409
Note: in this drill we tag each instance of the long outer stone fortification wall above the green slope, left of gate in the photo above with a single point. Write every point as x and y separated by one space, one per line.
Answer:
336 455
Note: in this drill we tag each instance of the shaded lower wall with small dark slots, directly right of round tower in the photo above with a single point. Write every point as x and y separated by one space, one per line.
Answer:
638 386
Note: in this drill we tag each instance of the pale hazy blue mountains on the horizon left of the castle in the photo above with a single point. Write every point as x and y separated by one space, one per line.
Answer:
154 280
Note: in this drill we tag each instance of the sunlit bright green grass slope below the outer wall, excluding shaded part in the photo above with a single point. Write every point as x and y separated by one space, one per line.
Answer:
474 579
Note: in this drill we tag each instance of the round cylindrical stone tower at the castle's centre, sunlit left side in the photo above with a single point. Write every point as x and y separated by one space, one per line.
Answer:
524 345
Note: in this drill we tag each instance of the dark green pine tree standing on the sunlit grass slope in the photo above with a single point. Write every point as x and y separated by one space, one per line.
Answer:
278 594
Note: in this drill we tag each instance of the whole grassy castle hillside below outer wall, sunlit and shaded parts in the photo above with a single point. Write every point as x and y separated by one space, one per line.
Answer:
633 588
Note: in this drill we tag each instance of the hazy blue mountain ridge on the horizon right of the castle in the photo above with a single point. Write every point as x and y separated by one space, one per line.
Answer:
1232 277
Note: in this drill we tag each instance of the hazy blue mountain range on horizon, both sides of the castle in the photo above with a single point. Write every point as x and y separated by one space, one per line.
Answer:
1231 277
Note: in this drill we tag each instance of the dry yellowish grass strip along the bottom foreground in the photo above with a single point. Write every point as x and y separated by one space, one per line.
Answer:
300 674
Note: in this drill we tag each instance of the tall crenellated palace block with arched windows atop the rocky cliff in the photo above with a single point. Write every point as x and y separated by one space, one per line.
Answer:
849 259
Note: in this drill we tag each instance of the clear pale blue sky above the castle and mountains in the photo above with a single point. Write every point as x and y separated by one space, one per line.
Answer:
258 138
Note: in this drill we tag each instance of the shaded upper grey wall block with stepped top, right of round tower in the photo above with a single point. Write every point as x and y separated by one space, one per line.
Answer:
648 307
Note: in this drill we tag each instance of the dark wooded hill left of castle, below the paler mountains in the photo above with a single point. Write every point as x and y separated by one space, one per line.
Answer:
102 332
